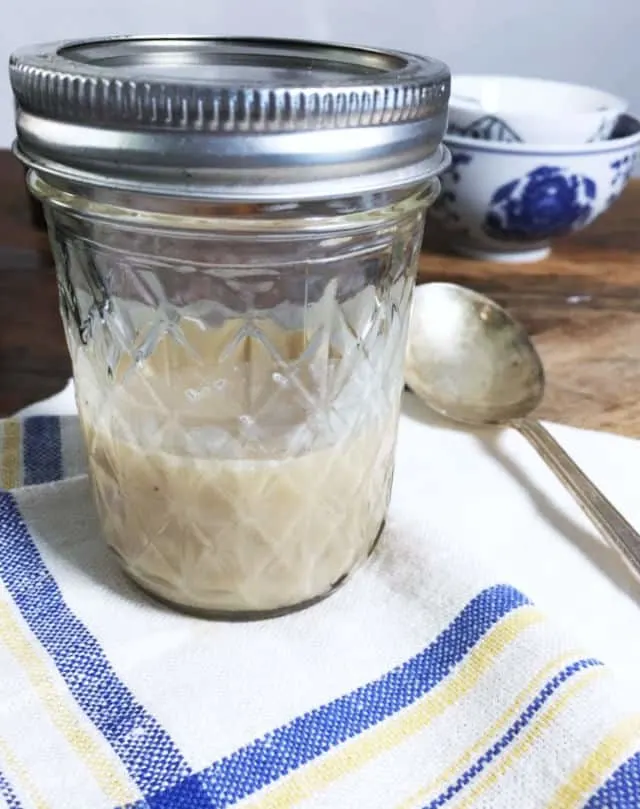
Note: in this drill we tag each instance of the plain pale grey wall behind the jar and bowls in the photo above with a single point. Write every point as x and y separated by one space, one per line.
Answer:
595 42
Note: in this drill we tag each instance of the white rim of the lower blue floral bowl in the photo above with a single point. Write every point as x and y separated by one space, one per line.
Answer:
615 144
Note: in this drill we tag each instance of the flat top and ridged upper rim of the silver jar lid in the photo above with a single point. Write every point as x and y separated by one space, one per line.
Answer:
229 84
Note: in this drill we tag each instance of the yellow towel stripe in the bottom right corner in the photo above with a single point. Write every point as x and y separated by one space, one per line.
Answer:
598 764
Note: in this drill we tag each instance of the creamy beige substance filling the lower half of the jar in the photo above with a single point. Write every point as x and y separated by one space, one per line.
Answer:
228 482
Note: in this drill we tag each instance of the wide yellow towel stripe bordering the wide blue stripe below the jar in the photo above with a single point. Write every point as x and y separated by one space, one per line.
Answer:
306 782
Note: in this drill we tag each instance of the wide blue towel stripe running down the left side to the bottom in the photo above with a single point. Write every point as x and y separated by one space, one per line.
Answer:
144 747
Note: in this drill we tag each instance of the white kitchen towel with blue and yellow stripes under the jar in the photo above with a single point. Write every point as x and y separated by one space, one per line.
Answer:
428 680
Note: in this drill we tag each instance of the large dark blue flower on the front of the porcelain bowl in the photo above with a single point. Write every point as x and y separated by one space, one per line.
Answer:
548 201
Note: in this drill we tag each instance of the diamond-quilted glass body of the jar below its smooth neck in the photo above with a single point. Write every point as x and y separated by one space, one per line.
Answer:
241 420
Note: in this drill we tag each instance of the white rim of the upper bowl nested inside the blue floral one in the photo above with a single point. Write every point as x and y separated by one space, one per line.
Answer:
609 101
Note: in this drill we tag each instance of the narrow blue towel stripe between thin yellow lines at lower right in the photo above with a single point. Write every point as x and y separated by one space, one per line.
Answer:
516 728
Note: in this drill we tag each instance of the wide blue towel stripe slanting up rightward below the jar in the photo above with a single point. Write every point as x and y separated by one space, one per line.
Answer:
307 737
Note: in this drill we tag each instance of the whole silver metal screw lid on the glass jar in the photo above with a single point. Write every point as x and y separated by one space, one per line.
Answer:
230 118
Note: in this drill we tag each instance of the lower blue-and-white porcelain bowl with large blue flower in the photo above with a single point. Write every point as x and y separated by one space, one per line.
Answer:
508 201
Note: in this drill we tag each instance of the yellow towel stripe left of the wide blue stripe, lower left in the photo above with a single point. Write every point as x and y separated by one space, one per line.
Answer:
55 699
